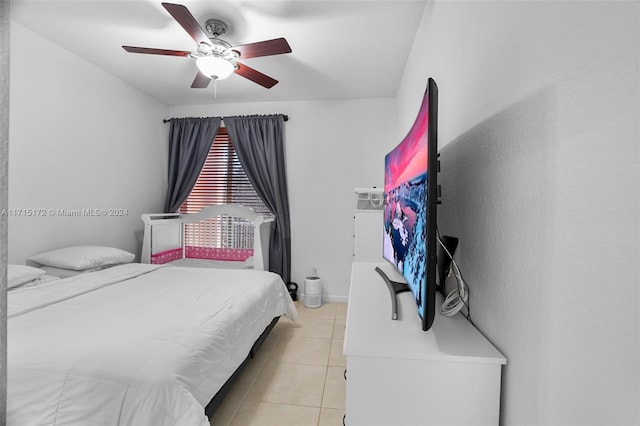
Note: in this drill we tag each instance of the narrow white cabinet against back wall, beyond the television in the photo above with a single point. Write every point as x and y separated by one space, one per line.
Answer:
367 236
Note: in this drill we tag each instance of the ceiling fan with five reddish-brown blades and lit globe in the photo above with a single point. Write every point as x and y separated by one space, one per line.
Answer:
216 59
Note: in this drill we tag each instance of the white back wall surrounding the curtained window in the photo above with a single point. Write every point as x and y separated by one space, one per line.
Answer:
332 147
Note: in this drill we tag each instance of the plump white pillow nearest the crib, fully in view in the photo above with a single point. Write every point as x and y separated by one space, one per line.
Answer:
81 258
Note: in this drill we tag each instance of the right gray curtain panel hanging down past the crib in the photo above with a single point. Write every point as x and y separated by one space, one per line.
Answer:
259 144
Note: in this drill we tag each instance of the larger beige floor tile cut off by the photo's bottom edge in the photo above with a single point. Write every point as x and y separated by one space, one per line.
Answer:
266 414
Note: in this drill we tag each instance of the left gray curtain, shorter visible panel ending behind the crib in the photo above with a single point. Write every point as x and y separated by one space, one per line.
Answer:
190 140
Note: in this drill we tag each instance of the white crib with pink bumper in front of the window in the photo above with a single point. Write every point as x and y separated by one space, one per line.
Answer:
228 235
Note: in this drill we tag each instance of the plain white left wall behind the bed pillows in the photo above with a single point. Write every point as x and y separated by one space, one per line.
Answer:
79 139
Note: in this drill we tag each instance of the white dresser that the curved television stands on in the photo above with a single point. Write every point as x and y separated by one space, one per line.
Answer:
398 374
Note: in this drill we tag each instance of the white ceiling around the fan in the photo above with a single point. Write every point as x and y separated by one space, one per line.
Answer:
341 49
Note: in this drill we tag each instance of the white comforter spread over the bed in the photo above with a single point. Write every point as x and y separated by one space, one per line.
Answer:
134 344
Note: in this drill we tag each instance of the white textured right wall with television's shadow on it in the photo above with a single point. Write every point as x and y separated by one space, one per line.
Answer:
538 131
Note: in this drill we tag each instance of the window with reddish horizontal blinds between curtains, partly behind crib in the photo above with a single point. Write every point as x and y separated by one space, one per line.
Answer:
223 181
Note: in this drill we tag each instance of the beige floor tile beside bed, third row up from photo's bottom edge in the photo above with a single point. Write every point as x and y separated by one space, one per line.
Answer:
302 350
